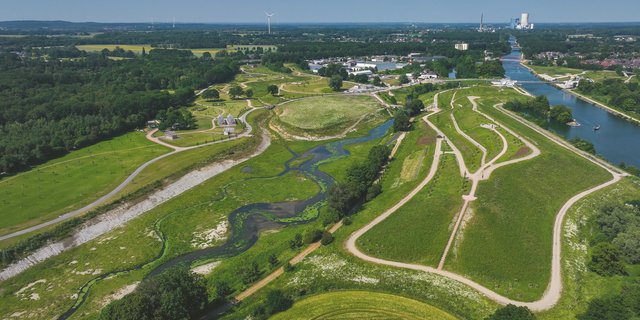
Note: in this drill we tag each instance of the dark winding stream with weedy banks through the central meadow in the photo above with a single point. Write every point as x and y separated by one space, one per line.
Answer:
248 221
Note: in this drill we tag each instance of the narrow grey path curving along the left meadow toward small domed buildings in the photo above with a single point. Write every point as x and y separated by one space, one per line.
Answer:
130 178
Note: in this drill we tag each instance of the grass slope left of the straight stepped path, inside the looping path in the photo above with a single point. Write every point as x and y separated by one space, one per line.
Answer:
424 222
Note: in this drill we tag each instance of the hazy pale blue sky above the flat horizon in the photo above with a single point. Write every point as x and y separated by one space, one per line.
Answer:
292 11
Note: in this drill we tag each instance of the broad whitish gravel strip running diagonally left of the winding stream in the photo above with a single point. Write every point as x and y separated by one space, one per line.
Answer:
127 212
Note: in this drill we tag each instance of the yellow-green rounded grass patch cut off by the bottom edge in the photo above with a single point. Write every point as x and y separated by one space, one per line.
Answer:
361 305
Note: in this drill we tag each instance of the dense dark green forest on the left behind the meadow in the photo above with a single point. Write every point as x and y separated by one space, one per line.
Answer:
49 107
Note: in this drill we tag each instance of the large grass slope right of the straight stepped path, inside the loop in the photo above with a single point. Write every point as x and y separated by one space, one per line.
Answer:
506 245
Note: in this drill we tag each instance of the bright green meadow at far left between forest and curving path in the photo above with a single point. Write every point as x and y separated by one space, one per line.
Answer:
70 182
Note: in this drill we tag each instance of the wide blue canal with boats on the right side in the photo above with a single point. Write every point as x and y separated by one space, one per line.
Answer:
618 140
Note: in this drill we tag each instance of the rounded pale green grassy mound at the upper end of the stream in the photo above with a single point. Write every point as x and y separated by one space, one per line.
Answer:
326 115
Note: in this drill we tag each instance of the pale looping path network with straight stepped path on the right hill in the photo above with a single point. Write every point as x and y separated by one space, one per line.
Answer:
553 292
